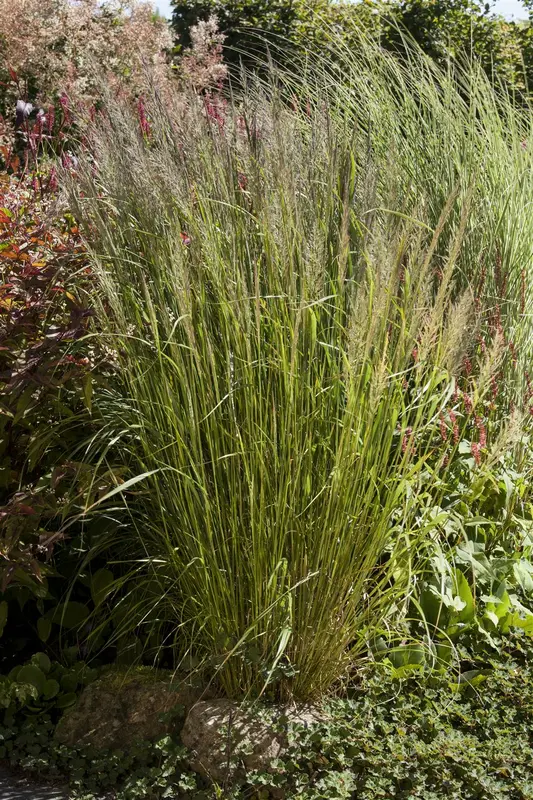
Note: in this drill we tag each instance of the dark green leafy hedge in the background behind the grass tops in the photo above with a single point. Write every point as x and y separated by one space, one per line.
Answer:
444 30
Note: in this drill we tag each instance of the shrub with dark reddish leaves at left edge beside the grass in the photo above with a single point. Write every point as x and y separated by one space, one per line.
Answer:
43 375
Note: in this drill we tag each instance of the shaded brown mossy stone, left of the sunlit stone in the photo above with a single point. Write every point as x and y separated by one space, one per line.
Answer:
124 707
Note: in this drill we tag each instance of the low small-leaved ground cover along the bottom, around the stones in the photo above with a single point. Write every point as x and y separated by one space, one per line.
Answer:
414 737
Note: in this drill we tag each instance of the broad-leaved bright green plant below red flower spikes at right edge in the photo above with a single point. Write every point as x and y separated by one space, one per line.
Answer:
477 585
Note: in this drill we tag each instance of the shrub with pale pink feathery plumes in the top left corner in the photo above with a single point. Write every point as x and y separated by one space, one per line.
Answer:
56 46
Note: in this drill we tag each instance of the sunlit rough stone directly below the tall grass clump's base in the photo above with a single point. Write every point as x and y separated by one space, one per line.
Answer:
226 739
